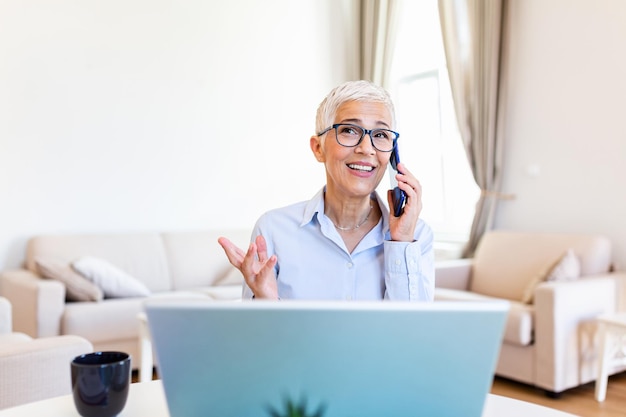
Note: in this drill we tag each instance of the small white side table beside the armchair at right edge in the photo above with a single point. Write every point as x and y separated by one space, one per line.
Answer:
612 333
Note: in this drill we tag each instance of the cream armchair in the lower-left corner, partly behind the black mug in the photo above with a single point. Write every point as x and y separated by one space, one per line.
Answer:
34 369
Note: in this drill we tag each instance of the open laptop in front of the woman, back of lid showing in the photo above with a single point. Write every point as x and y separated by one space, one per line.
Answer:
328 359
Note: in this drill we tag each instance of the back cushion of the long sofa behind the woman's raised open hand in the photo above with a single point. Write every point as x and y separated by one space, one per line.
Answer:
197 260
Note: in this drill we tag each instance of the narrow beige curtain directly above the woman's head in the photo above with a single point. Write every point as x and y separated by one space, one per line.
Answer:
376 39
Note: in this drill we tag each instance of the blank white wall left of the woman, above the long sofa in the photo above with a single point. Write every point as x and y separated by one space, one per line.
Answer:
130 115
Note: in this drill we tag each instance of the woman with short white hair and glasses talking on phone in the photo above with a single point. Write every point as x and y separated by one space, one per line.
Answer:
343 244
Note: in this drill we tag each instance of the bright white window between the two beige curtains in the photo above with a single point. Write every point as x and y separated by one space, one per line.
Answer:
430 142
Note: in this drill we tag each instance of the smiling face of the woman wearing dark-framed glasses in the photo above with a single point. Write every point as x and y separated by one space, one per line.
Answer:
356 171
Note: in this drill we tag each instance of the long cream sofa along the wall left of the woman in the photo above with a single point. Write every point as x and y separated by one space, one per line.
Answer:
176 264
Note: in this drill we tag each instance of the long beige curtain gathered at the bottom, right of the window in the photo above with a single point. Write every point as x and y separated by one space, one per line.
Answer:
473 38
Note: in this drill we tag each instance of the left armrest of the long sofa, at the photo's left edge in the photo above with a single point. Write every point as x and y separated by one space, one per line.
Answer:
38 304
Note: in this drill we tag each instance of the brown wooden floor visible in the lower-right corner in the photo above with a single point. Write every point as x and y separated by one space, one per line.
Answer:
578 401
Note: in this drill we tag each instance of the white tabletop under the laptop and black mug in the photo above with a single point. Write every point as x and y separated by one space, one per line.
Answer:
147 399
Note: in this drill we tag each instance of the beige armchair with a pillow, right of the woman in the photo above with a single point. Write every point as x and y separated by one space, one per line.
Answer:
549 339
